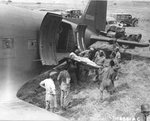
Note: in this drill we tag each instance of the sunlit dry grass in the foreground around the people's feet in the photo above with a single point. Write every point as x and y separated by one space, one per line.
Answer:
132 89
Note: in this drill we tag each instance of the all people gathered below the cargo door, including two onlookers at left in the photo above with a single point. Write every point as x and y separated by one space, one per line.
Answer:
74 72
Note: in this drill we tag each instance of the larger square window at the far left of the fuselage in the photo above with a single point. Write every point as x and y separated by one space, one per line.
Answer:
8 43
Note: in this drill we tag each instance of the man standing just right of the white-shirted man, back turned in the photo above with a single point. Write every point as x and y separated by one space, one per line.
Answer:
64 79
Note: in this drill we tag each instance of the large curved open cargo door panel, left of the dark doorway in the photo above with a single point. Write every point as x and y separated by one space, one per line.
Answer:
48 37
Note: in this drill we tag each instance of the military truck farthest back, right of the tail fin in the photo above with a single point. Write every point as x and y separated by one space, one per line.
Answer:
126 19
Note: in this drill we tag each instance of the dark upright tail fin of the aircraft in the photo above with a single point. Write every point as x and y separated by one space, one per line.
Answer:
95 15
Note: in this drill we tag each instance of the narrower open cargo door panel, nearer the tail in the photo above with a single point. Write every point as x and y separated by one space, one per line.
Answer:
80 36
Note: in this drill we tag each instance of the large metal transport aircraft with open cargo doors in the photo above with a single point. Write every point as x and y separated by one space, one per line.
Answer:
29 40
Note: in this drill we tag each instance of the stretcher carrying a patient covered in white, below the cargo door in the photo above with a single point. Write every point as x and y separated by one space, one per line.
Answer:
83 60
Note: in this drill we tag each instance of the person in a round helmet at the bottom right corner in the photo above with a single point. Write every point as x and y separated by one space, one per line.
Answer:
145 112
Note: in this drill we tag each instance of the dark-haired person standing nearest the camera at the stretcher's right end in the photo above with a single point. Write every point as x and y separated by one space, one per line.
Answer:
107 79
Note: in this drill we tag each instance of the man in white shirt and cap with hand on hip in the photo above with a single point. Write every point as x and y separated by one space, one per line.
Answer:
50 97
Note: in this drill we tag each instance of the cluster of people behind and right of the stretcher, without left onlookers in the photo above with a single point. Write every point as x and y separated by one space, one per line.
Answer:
106 74
